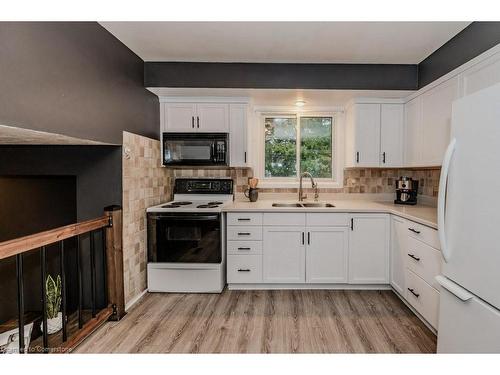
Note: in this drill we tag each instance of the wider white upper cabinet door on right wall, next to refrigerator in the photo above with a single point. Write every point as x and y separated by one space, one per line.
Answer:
436 121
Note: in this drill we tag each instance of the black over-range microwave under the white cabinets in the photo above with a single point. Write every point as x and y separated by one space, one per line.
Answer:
195 149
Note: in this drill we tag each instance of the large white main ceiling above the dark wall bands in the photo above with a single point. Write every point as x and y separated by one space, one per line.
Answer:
296 42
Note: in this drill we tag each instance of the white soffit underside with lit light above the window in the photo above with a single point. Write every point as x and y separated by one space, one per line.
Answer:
283 97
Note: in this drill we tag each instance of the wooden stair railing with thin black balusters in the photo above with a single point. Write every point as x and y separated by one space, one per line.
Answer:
110 224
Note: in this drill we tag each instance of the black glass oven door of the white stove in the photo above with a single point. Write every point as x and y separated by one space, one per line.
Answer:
184 238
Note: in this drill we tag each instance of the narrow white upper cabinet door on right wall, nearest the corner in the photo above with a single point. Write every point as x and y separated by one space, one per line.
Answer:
413 133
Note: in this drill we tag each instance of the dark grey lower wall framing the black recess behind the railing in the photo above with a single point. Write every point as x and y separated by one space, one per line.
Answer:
97 169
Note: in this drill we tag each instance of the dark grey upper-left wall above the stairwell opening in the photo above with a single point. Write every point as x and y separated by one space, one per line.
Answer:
73 78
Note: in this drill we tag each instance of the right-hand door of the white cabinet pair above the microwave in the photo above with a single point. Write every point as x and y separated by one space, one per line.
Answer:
212 117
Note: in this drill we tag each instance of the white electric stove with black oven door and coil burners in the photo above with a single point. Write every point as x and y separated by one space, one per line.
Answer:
186 238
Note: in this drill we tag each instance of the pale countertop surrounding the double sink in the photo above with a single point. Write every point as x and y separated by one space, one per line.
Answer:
426 215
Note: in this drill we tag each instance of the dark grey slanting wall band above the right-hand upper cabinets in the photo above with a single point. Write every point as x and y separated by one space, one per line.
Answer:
469 43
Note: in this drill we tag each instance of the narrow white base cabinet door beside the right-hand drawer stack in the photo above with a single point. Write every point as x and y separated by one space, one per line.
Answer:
399 245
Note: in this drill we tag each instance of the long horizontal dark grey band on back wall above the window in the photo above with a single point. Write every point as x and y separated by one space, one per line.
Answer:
282 76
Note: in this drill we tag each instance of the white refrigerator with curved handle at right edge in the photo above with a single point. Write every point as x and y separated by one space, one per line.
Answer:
469 228
